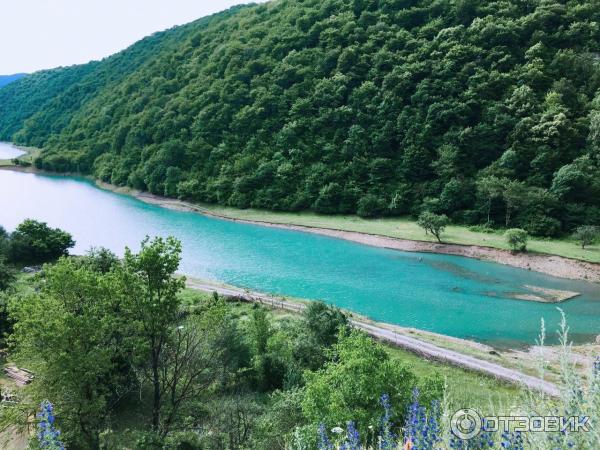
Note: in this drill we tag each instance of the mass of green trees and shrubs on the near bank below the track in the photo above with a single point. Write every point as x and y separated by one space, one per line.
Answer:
82 333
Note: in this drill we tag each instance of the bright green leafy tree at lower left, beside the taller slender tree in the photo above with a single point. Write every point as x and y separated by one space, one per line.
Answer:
71 339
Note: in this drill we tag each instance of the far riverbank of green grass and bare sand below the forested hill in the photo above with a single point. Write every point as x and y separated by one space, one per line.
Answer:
397 234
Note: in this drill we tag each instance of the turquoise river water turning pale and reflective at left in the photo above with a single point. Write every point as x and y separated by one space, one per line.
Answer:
451 295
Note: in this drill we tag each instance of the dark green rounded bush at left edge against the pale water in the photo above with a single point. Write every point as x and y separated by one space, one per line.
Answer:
36 242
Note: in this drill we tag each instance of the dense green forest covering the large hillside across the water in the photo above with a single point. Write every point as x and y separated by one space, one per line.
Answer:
488 112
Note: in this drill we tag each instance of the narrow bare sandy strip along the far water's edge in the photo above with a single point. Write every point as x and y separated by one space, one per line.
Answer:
557 266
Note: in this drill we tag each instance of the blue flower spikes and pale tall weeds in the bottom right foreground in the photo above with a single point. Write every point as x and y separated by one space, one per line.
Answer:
424 428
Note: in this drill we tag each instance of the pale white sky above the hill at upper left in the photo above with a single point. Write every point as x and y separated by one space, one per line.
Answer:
42 34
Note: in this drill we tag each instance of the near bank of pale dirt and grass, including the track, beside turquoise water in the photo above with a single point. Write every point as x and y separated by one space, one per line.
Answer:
520 367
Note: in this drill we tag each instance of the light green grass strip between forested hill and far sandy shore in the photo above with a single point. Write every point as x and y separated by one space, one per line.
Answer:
405 228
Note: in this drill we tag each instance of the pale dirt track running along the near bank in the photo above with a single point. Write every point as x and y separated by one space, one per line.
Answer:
399 339
